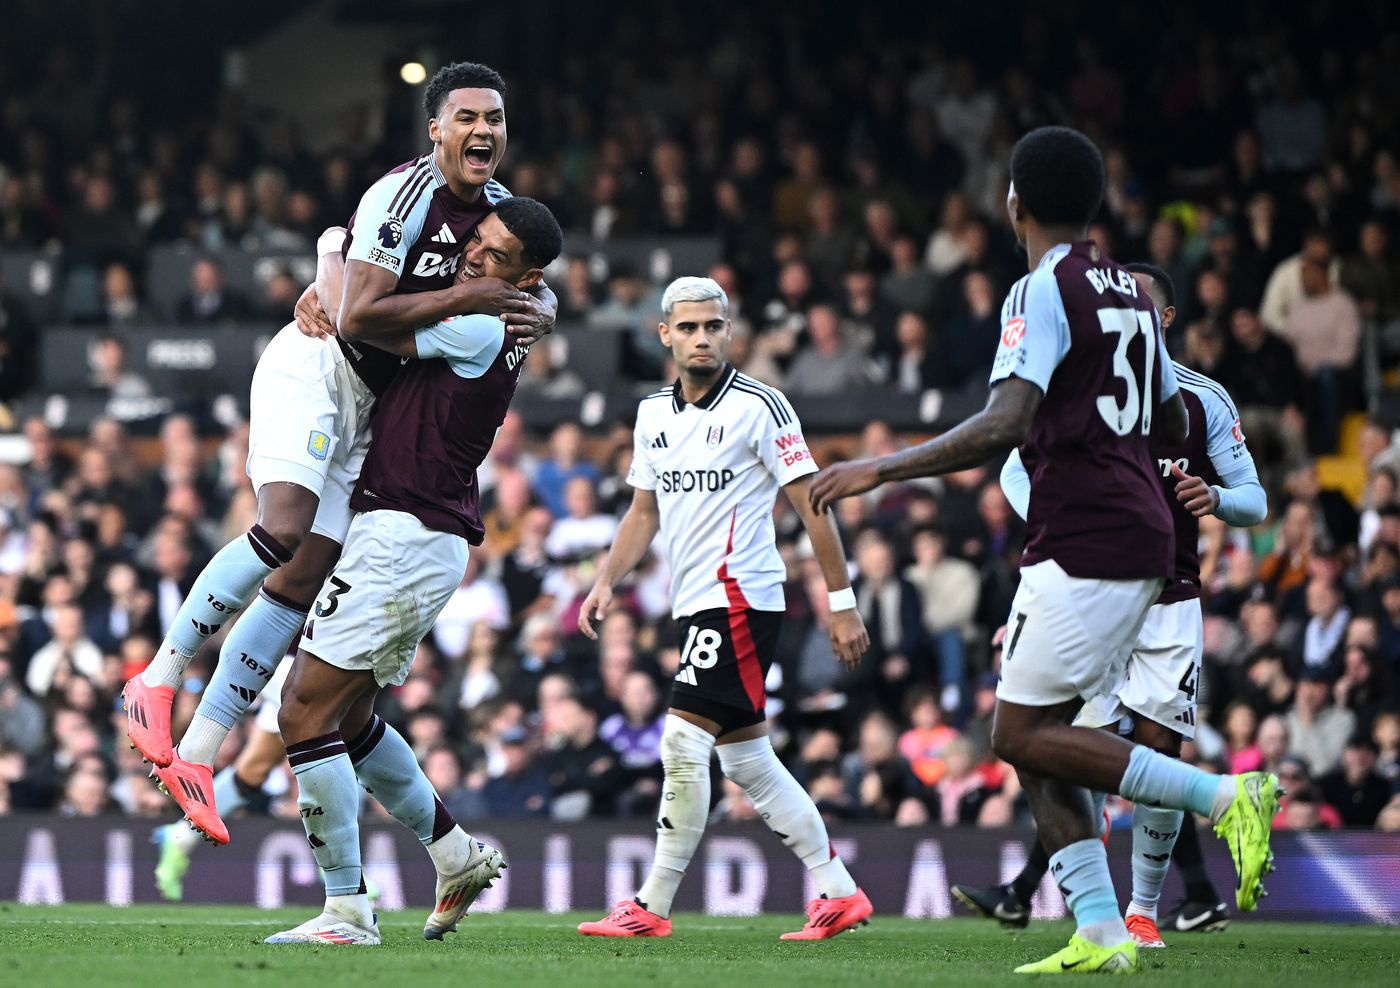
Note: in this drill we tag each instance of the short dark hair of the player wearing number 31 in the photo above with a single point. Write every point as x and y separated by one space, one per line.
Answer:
1059 177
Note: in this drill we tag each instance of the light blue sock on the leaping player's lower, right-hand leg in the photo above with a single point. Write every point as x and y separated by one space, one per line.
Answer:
250 658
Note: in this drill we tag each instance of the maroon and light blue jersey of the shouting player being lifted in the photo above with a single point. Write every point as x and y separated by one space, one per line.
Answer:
411 225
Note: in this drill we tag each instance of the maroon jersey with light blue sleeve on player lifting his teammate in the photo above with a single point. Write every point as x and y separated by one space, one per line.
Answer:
436 422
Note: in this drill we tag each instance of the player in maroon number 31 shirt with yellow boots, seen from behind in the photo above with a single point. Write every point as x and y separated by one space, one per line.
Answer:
1080 376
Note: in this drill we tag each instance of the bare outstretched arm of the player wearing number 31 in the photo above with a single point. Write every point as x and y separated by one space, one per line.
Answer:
993 432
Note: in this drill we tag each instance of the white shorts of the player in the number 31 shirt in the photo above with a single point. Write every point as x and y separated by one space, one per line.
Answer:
1070 637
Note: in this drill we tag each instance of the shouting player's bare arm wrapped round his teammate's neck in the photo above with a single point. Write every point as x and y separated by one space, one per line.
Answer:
370 313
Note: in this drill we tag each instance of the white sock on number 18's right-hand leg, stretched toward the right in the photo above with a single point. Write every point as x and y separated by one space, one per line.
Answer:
787 810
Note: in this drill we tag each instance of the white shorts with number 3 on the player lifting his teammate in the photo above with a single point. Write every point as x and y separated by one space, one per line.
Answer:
386 594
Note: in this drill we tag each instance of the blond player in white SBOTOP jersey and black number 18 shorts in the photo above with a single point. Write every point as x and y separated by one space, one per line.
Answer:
709 458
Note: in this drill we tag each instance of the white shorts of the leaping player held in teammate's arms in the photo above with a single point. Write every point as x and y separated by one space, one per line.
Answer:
310 425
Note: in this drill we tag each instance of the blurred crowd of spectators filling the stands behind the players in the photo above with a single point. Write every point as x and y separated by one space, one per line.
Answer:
857 198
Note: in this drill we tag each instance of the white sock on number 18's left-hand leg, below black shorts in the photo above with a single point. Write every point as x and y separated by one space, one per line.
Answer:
685 807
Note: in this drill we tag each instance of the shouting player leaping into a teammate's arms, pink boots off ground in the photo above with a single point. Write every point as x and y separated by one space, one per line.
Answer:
310 428
